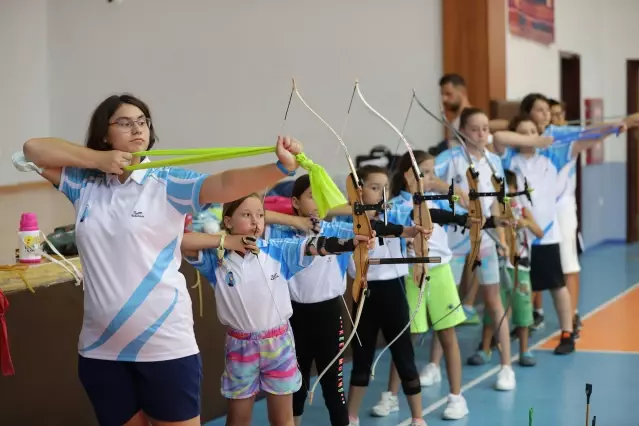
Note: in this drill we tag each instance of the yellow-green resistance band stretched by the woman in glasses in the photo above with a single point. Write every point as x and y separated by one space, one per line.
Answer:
326 194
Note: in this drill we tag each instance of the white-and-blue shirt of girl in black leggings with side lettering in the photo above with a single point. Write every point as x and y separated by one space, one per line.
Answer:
325 278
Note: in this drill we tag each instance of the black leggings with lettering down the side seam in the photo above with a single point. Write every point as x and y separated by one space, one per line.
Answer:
319 336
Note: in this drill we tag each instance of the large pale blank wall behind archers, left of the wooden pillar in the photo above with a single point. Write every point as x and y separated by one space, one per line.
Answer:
218 73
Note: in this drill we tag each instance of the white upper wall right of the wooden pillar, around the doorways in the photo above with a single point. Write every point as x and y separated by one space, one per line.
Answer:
604 34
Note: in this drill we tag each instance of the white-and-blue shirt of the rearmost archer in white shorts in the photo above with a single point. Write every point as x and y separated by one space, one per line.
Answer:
567 176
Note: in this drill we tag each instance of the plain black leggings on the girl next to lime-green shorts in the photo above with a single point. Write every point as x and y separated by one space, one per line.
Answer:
385 308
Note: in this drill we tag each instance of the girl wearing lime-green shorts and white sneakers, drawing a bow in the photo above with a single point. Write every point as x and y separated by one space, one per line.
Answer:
441 307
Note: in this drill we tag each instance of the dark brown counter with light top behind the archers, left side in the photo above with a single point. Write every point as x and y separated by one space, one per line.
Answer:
43 331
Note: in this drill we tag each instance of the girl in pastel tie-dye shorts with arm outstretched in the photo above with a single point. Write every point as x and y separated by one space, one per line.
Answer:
250 277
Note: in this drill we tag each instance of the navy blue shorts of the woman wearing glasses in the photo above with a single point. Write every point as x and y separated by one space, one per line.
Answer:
166 391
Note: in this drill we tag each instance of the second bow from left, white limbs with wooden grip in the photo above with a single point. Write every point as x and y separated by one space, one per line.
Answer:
422 218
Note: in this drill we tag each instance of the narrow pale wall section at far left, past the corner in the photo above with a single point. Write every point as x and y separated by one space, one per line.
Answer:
24 94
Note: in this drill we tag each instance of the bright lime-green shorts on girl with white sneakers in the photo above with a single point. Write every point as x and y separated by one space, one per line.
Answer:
440 296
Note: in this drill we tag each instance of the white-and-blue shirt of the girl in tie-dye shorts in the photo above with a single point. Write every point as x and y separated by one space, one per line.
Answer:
251 291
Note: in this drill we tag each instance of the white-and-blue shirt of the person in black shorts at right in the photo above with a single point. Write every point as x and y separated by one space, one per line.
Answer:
541 170
